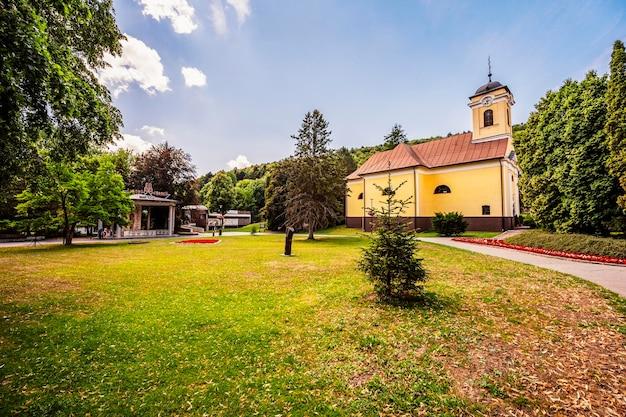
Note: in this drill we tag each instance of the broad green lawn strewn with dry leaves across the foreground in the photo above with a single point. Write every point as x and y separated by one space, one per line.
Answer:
237 329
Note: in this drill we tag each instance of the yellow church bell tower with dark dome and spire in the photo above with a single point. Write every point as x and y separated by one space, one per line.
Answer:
491 111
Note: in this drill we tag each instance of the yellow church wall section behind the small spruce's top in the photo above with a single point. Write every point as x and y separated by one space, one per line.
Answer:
375 199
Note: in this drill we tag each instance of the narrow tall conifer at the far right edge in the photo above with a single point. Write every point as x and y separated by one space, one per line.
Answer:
616 119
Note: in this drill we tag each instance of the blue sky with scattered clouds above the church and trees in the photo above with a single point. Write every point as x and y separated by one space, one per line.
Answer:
256 66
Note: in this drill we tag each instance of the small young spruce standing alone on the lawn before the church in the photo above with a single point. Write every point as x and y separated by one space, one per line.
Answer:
389 261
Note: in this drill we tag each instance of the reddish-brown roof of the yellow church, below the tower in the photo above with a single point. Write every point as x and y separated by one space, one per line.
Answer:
453 150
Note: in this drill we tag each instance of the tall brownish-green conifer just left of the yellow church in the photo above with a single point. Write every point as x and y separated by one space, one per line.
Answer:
316 184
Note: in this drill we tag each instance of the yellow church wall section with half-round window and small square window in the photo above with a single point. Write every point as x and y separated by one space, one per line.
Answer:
470 190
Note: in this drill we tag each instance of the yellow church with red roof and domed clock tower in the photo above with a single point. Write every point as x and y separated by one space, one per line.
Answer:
472 173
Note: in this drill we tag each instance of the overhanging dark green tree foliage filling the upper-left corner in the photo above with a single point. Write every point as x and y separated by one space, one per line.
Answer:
51 98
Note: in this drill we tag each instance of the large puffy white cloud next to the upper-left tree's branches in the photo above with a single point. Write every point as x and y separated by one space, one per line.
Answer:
139 64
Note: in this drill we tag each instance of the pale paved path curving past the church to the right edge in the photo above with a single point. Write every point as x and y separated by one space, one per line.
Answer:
612 277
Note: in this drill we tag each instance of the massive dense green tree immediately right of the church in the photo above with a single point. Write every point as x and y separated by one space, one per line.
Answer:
562 152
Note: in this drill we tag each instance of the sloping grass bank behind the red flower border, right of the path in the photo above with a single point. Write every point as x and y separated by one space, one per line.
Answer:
570 242
